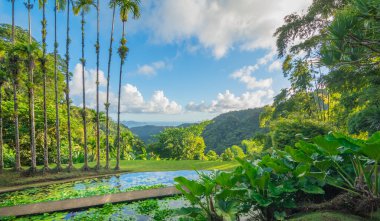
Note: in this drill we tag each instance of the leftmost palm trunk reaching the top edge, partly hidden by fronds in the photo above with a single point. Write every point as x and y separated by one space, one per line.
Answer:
15 102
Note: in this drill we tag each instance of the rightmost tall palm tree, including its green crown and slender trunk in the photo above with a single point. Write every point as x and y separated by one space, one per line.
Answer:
126 6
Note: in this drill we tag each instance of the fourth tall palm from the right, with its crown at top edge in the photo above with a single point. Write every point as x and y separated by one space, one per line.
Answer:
83 6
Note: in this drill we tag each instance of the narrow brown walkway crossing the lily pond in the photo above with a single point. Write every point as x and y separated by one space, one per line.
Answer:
80 203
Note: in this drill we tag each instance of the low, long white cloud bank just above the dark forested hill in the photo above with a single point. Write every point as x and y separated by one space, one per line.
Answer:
227 101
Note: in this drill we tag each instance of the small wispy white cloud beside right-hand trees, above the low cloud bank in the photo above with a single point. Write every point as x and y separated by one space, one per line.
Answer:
244 75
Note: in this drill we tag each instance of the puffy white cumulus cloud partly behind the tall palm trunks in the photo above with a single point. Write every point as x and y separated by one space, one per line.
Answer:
132 101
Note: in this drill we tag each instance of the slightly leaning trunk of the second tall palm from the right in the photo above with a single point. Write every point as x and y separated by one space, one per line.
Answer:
108 86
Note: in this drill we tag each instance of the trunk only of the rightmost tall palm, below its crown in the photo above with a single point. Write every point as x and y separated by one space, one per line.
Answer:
122 56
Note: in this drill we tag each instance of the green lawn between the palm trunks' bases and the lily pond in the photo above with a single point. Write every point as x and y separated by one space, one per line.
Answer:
9 179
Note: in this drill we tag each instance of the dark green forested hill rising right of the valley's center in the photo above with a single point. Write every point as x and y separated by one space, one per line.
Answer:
231 128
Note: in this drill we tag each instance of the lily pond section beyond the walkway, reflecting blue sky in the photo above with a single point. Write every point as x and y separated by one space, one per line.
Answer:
95 186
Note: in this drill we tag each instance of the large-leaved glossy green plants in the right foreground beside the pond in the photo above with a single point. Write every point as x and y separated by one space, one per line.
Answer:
281 182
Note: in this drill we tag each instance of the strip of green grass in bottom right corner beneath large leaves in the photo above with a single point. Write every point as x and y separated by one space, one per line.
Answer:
332 216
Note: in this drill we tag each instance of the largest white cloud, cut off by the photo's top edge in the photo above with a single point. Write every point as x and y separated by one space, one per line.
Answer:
218 25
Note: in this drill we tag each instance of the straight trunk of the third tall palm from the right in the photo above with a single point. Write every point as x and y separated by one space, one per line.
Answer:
97 47
